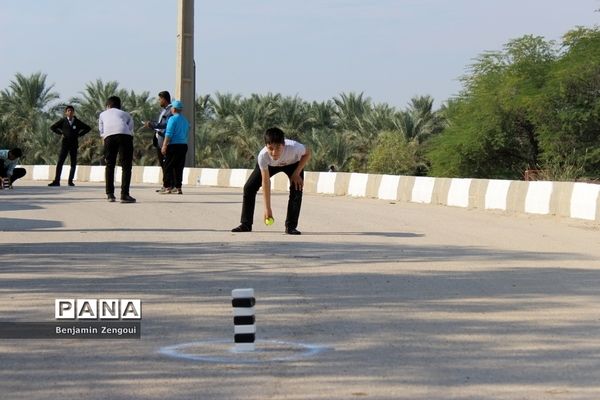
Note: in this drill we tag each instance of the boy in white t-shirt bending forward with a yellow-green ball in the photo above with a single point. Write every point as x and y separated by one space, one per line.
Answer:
278 155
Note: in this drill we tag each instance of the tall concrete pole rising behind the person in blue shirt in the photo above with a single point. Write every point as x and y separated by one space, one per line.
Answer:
185 78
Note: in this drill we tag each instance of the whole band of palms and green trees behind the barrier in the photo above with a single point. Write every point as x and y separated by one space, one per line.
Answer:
535 104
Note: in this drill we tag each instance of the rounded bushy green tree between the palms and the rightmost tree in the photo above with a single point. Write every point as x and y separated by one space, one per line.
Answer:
491 131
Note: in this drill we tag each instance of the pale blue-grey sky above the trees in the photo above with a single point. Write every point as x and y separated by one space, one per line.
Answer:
390 50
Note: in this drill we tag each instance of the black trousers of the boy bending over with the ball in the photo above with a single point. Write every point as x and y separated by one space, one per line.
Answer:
254 183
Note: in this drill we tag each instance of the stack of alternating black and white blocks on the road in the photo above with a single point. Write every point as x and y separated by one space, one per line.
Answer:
244 333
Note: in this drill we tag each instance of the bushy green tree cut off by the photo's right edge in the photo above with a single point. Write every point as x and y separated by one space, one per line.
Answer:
568 118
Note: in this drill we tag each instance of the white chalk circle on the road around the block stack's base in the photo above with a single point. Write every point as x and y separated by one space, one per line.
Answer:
222 351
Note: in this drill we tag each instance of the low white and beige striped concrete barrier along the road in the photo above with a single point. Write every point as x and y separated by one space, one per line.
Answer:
567 199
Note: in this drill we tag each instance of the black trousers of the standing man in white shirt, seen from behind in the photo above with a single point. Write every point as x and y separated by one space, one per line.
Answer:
121 145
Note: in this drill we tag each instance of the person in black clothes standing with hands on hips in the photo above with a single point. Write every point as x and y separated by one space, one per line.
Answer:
70 128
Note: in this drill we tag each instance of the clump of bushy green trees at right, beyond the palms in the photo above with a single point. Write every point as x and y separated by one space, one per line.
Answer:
533 105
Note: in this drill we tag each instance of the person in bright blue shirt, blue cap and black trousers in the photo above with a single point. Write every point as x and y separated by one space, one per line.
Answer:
174 148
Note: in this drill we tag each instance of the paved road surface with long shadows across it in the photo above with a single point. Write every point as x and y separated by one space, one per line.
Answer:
406 301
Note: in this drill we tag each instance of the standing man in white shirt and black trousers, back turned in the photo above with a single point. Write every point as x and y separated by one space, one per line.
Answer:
116 129
